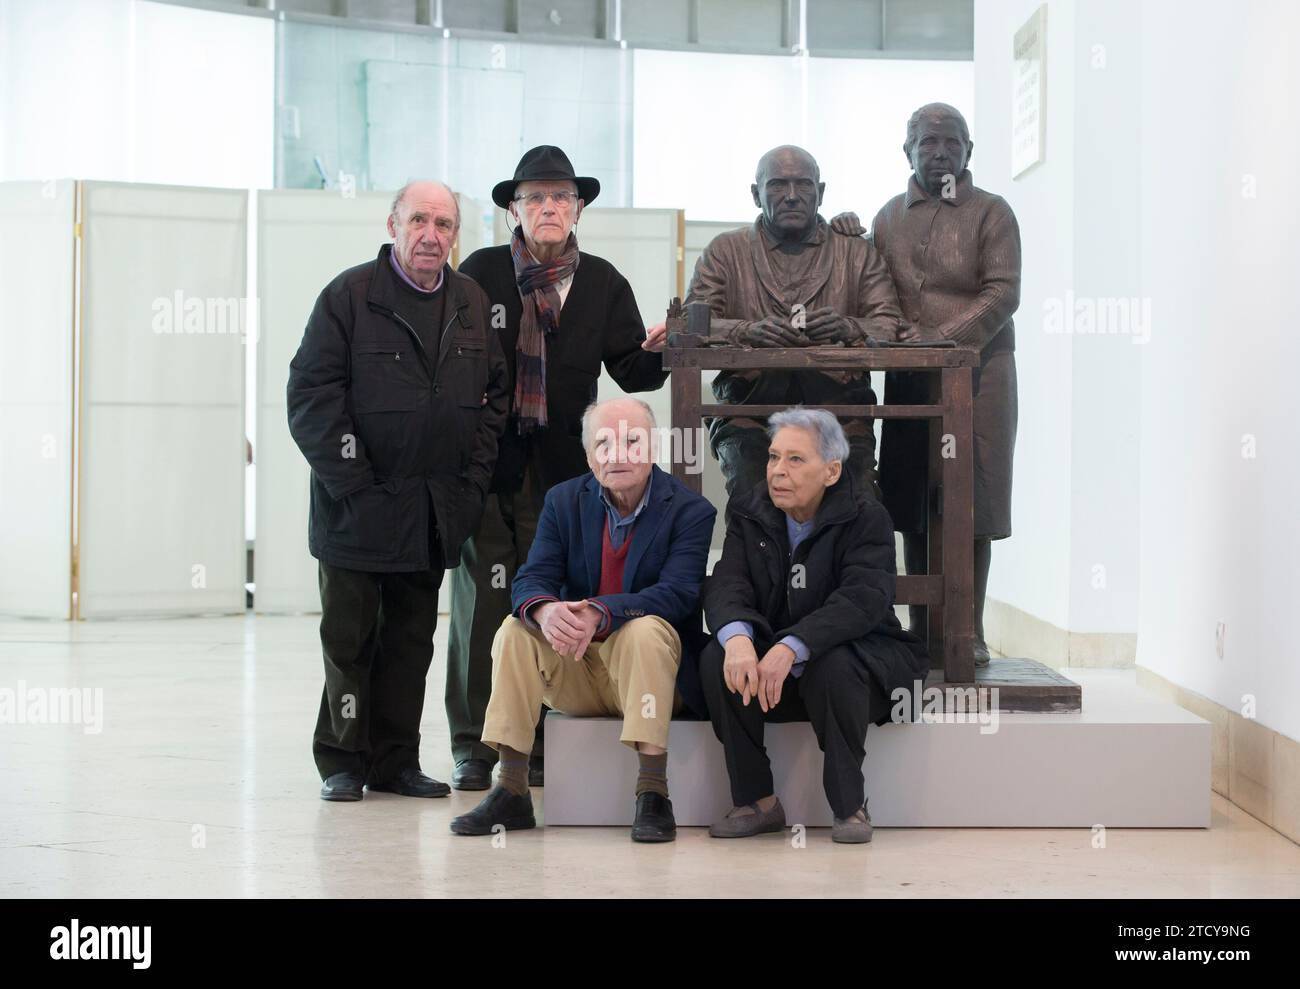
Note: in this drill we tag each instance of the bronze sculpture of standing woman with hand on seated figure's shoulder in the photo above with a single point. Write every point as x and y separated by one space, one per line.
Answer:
955 255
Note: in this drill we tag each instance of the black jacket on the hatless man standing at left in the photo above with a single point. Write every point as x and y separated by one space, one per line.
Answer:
398 439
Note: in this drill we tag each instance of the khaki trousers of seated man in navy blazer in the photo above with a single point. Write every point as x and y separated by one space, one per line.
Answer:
634 675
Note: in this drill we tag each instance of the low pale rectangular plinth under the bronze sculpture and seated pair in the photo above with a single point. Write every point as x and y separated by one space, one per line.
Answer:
1126 761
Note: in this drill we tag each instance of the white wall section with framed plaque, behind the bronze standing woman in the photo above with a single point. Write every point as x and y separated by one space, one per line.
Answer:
1073 559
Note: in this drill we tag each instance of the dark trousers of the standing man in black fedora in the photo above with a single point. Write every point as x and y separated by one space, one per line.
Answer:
480 604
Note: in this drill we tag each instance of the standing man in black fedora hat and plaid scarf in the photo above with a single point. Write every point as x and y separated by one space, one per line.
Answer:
561 315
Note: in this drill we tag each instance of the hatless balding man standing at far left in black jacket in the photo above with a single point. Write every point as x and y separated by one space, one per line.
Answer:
397 398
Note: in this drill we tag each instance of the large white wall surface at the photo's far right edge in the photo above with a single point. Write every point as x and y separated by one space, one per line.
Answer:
1220 255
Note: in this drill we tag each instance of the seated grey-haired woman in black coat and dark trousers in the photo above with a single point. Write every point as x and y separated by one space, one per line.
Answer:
801 609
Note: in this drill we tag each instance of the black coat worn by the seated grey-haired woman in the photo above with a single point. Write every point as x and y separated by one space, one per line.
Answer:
837 589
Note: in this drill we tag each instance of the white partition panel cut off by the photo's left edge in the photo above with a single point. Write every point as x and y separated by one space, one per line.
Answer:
37 255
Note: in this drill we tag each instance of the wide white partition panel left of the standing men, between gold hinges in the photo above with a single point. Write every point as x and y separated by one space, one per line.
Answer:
162 413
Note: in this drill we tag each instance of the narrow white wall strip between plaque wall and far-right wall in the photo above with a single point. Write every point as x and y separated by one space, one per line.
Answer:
1106 366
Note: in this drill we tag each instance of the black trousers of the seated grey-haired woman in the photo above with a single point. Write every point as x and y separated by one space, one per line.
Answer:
835 693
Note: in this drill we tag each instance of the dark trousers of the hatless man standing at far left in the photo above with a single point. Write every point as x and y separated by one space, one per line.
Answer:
378 637
